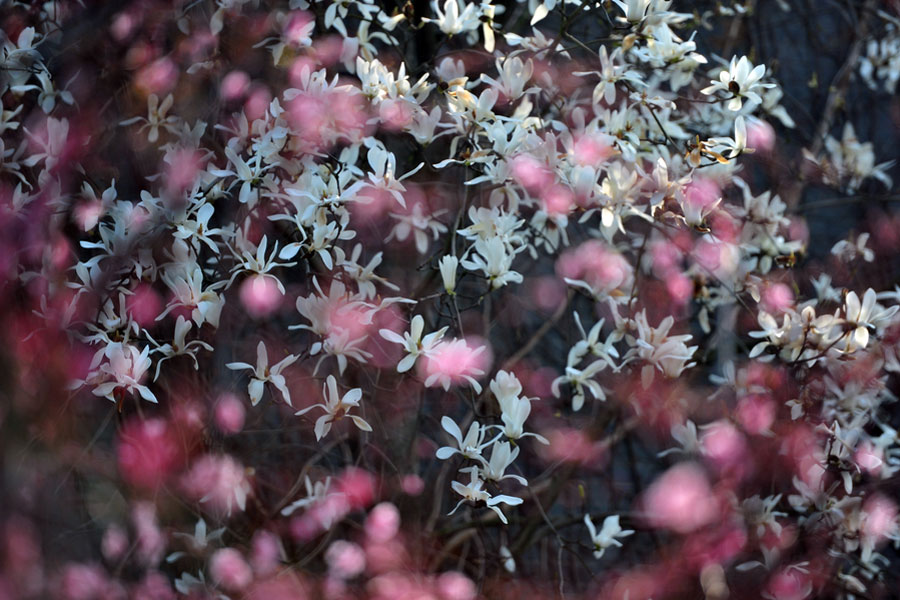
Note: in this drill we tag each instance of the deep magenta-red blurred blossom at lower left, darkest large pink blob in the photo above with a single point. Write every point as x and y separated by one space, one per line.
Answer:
148 452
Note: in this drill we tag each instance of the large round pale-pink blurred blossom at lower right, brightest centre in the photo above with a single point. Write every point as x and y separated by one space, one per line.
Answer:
680 500
